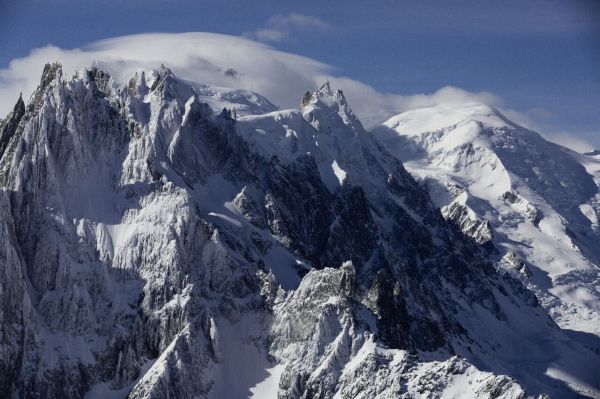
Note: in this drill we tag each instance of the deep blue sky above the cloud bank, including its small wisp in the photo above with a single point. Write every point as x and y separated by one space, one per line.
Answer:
542 57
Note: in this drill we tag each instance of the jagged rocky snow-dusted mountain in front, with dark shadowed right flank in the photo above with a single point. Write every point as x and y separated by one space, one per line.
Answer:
154 247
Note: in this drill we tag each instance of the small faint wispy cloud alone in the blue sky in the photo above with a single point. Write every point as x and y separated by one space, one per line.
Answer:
284 27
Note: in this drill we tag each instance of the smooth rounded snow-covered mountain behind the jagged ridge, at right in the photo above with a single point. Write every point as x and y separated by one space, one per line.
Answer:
540 199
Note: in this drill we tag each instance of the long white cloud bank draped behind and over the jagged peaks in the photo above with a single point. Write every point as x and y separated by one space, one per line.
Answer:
204 57
